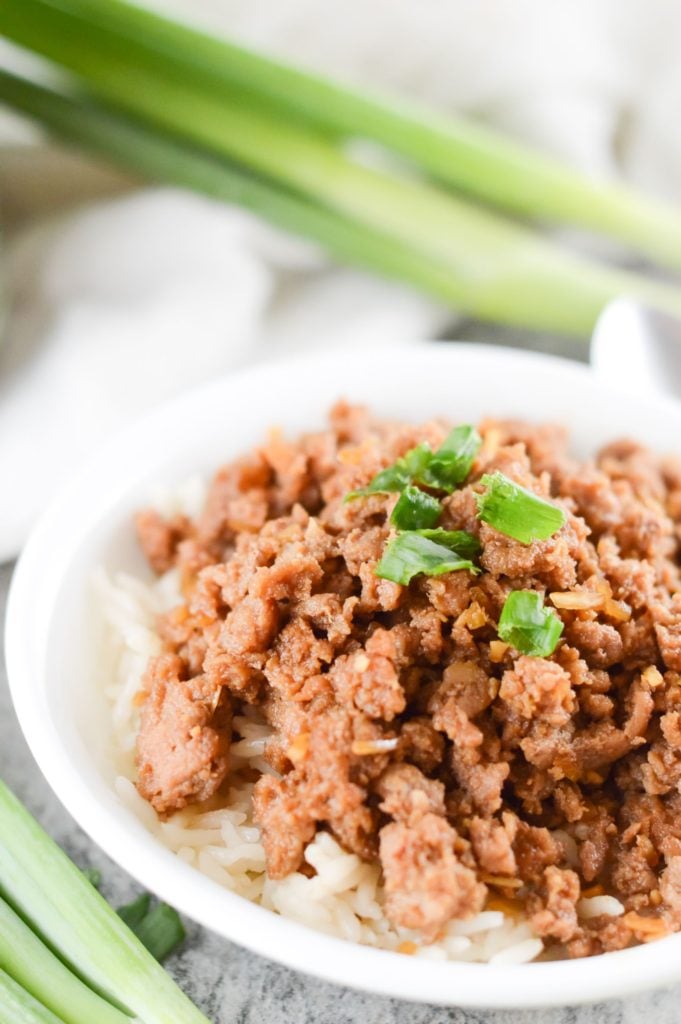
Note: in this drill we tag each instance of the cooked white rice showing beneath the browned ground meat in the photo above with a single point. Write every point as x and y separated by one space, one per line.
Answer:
345 898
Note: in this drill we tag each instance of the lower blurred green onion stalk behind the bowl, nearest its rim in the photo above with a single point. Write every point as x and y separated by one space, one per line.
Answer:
401 227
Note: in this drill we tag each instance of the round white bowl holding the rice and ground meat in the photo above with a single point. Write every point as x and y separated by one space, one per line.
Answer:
53 651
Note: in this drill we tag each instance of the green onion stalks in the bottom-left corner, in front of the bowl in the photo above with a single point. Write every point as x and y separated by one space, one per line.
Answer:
66 955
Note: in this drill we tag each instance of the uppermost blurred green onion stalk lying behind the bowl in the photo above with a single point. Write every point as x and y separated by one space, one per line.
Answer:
455 151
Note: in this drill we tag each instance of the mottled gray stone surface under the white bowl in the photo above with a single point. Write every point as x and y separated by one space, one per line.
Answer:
237 988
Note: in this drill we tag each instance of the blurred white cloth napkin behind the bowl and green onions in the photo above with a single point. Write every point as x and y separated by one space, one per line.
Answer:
121 298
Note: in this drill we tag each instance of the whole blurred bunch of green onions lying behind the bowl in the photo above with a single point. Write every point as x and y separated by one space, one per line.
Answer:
217 118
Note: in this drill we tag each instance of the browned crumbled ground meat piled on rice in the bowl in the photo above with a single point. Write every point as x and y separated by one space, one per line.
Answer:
402 723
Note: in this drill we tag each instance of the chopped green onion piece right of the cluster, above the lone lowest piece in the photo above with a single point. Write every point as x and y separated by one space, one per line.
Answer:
518 513
